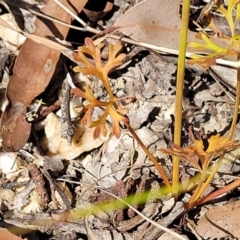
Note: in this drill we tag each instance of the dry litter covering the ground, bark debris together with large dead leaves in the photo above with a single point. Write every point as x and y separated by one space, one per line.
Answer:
43 185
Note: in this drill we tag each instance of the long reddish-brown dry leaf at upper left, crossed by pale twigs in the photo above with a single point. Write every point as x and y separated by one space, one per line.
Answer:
33 70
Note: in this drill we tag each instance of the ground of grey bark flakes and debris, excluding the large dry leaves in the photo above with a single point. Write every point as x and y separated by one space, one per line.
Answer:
43 185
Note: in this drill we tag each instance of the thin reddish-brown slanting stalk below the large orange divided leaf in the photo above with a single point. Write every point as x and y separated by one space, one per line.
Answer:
152 158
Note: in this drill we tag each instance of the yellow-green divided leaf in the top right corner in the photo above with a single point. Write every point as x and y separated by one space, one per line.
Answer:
214 45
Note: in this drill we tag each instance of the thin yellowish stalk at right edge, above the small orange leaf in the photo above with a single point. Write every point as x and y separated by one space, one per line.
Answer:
236 107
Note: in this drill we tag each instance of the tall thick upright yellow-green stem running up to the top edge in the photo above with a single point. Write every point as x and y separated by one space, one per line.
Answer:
179 93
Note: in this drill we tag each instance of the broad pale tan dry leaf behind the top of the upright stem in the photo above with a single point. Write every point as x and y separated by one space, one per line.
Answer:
156 22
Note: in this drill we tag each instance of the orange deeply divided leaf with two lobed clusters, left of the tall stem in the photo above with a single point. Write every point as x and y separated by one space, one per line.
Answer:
113 107
